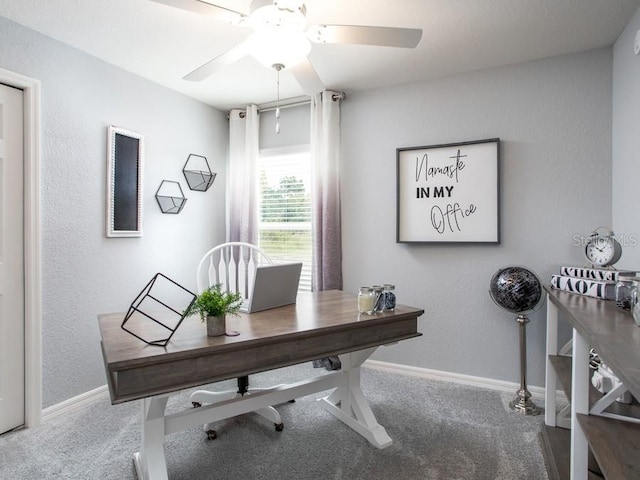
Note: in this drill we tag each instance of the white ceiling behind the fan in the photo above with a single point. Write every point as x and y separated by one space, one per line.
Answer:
163 44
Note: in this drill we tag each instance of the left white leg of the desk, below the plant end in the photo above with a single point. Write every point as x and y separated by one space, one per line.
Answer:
150 462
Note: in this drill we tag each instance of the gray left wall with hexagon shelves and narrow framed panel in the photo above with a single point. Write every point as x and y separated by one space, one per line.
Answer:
83 272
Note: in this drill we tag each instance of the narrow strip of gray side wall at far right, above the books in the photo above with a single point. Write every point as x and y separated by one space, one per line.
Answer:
626 144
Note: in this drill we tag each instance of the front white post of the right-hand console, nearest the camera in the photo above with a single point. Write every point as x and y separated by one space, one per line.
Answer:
579 404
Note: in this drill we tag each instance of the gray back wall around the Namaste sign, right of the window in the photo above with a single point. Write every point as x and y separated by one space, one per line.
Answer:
553 118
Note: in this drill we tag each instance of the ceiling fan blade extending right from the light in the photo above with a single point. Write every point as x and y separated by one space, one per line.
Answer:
364 35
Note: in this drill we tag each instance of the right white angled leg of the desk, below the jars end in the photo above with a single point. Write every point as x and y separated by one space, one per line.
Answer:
347 402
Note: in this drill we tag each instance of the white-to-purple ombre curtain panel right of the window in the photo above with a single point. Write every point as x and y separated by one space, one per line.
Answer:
325 161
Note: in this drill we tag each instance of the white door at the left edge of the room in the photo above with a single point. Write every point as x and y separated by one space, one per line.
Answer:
11 259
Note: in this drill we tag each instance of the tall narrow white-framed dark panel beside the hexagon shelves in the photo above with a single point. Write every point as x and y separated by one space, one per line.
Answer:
125 155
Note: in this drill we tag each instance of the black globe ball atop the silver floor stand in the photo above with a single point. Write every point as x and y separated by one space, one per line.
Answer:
516 289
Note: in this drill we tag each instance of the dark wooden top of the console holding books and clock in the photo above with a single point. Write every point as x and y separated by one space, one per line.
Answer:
608 329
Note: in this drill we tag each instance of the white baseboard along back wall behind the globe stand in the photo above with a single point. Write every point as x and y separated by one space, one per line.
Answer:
537 393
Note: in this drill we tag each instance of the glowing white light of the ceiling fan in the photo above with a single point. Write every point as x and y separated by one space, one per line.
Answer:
273 46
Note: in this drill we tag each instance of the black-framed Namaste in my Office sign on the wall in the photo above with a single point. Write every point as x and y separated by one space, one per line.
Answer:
449 193
